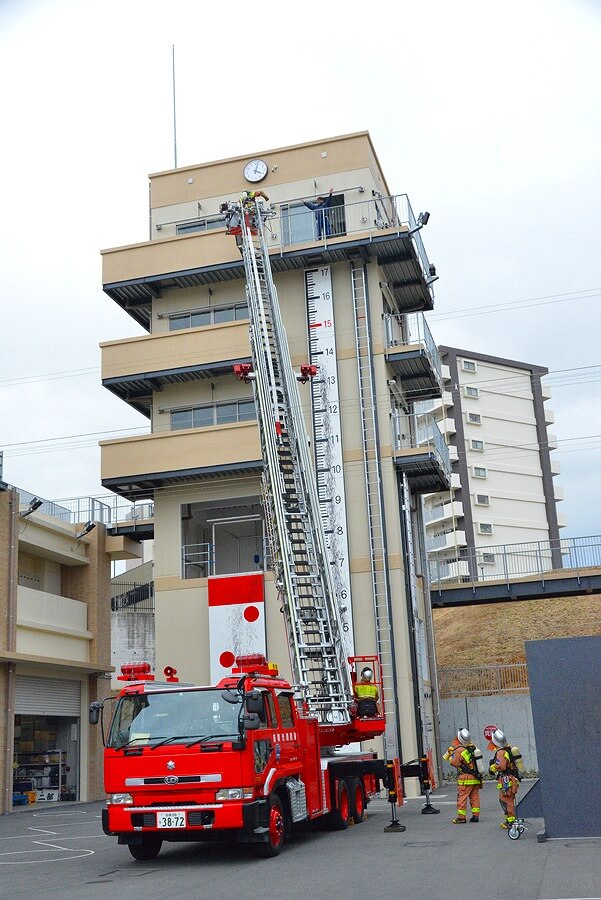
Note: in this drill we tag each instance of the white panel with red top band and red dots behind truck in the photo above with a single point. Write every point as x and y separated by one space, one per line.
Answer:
236 620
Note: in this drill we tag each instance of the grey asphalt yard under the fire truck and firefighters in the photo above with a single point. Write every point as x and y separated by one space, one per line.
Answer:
61 852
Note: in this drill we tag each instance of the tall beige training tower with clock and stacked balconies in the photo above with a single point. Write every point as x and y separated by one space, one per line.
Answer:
352 300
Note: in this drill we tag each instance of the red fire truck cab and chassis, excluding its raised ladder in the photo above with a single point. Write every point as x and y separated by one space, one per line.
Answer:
243 761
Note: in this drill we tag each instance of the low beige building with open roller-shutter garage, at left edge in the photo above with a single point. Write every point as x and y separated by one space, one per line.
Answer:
54 649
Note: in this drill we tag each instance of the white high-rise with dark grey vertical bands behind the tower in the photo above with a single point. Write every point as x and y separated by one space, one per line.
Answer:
502 507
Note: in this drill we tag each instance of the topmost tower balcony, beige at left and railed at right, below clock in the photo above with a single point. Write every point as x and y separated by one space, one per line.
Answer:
380 228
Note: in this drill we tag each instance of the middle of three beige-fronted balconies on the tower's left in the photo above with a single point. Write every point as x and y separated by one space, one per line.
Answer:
135 367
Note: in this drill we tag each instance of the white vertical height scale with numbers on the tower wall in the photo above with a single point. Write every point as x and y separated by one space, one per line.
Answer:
327 437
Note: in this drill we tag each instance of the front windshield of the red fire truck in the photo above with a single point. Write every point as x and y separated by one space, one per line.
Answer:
145 719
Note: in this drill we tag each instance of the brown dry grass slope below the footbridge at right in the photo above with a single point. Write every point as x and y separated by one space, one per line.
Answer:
495 633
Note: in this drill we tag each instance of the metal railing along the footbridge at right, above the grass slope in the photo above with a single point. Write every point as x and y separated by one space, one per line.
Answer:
510 562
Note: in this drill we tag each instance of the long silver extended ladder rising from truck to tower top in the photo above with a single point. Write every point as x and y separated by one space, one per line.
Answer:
294 526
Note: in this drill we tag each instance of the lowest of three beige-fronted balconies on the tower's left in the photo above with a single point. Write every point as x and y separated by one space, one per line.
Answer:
136 466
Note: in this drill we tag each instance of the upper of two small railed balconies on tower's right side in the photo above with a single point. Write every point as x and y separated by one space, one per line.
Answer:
413 356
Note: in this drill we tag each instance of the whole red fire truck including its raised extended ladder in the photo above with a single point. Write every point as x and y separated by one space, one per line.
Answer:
254 756
